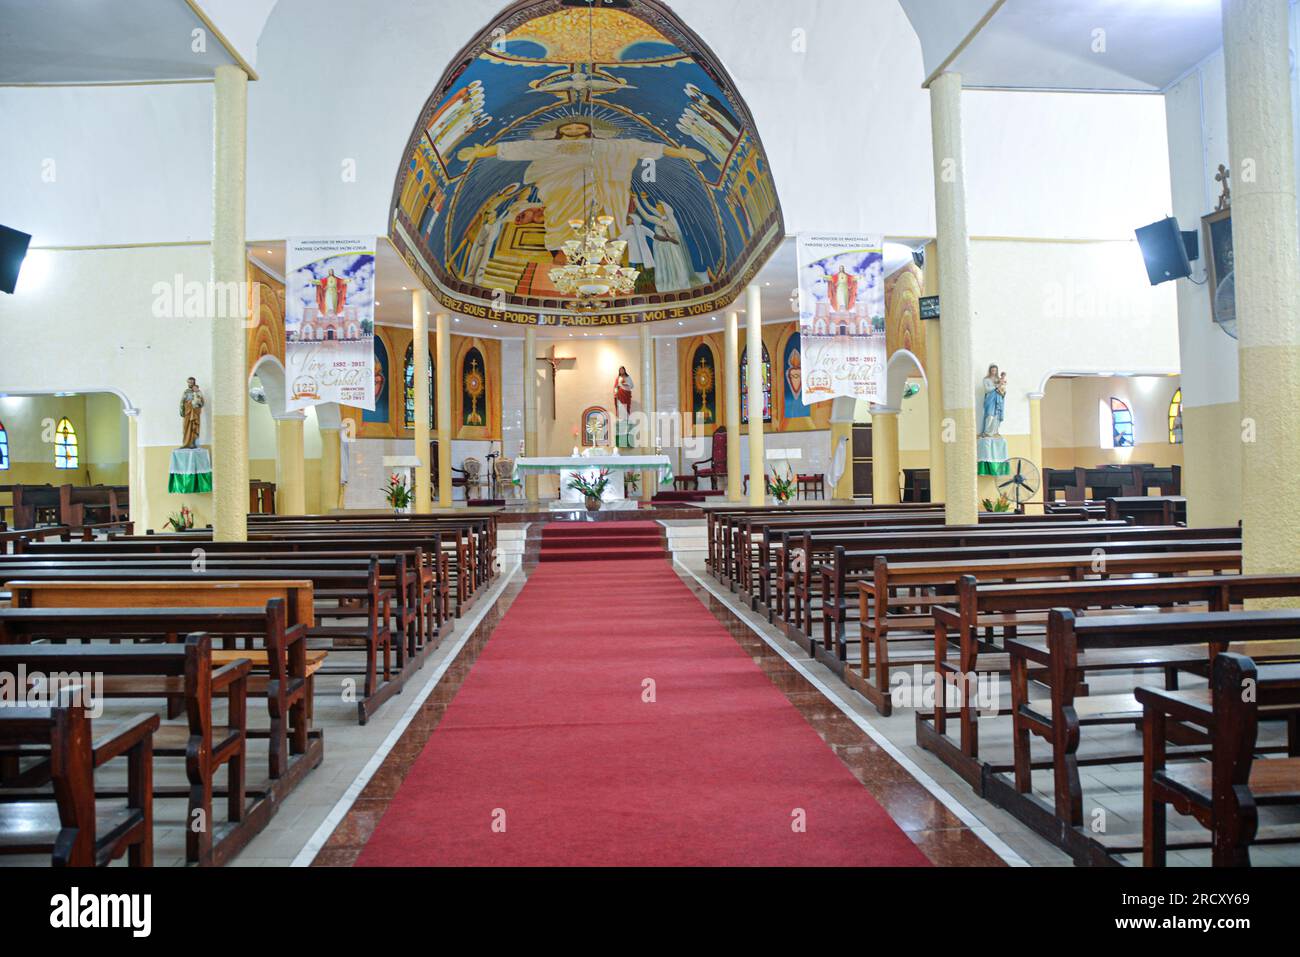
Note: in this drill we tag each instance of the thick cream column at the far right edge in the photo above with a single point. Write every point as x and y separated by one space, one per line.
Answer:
1256 63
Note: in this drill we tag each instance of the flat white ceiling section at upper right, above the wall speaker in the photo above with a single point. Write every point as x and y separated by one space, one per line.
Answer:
1111 46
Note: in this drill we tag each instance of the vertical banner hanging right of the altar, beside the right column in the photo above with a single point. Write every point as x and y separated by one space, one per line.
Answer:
843 317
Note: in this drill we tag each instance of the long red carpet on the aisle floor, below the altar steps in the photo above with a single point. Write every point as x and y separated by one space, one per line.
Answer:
551 737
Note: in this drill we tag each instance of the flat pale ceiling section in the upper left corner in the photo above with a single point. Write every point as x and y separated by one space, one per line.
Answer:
101 42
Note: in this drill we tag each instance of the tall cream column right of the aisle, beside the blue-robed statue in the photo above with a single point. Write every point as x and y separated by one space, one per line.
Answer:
957 361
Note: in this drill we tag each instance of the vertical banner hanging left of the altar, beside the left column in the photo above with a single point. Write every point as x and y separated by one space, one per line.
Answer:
330 323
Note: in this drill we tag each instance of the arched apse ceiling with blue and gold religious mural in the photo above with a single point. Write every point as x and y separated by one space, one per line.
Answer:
560 106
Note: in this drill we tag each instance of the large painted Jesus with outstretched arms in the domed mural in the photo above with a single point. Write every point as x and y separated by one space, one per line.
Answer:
560 167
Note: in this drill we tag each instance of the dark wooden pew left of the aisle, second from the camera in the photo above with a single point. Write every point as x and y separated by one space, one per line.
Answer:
205 746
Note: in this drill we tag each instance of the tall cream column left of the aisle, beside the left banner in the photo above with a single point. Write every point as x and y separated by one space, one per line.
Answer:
229 393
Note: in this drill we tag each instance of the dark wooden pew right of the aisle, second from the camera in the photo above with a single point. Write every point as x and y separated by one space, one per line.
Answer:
1076 647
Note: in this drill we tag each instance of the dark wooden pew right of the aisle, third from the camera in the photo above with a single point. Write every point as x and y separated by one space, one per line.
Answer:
1004 610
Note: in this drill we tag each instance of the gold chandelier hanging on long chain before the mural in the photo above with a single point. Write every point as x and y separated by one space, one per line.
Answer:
593 271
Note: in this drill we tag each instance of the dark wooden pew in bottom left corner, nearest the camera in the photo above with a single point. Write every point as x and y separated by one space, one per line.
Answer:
71 829
